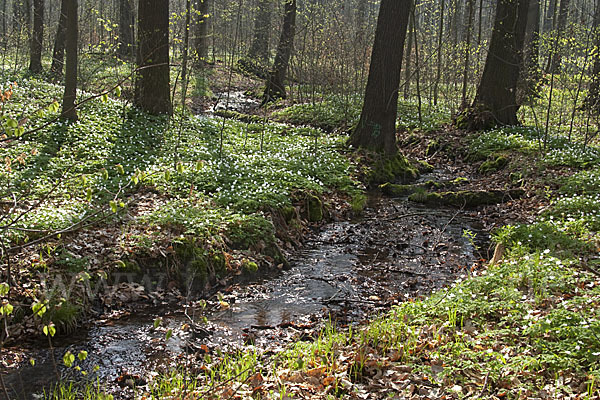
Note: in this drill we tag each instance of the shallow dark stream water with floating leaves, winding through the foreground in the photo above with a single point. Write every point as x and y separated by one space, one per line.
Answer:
347 272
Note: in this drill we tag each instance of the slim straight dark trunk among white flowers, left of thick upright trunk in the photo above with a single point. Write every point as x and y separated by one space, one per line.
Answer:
72 32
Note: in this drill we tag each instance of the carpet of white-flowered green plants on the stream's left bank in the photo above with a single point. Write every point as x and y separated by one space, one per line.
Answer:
114 152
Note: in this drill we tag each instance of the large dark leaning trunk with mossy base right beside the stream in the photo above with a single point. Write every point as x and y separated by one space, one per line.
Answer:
376 129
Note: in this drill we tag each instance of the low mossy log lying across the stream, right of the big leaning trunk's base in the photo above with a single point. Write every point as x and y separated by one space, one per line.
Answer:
466 198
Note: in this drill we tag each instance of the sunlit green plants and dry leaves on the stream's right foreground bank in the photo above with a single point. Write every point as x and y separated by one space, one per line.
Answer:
525 327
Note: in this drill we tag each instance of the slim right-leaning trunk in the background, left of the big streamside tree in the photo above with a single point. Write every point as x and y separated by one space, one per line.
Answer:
275 86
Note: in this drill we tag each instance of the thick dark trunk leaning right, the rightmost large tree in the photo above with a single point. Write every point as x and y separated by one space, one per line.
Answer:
495 102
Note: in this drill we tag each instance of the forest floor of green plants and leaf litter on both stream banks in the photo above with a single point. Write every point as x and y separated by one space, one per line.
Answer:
120 192
